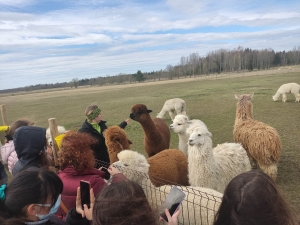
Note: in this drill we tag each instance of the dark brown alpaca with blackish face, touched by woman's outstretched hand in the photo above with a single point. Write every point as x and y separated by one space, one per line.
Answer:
157 132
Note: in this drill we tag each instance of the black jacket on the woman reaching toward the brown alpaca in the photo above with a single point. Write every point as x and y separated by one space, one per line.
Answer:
99 149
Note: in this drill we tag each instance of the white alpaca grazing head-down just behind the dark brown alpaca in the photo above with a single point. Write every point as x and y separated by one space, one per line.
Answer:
171 106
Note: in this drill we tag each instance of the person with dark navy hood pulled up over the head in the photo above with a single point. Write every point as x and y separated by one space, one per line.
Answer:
30 143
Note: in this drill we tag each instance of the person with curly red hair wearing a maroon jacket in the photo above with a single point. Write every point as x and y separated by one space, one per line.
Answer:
76 161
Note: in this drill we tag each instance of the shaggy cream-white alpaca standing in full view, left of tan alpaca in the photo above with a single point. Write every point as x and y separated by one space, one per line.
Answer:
214 168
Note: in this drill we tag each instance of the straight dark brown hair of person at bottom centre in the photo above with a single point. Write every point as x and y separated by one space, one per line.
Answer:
123 203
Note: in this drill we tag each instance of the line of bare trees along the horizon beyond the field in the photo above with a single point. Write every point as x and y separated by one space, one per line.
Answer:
214 62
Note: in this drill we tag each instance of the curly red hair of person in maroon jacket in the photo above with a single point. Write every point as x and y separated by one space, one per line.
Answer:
75 150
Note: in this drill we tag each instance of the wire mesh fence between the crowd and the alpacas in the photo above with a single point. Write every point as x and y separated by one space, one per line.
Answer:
198 208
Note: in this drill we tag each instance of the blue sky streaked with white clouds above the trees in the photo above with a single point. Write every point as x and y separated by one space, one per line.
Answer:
50 41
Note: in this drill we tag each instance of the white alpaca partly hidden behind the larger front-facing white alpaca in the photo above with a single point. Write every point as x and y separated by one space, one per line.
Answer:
179 126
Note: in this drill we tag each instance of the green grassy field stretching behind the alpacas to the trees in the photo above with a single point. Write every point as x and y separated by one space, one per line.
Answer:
211 100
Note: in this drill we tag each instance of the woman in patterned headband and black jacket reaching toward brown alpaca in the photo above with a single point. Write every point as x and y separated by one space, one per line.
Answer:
95 126
